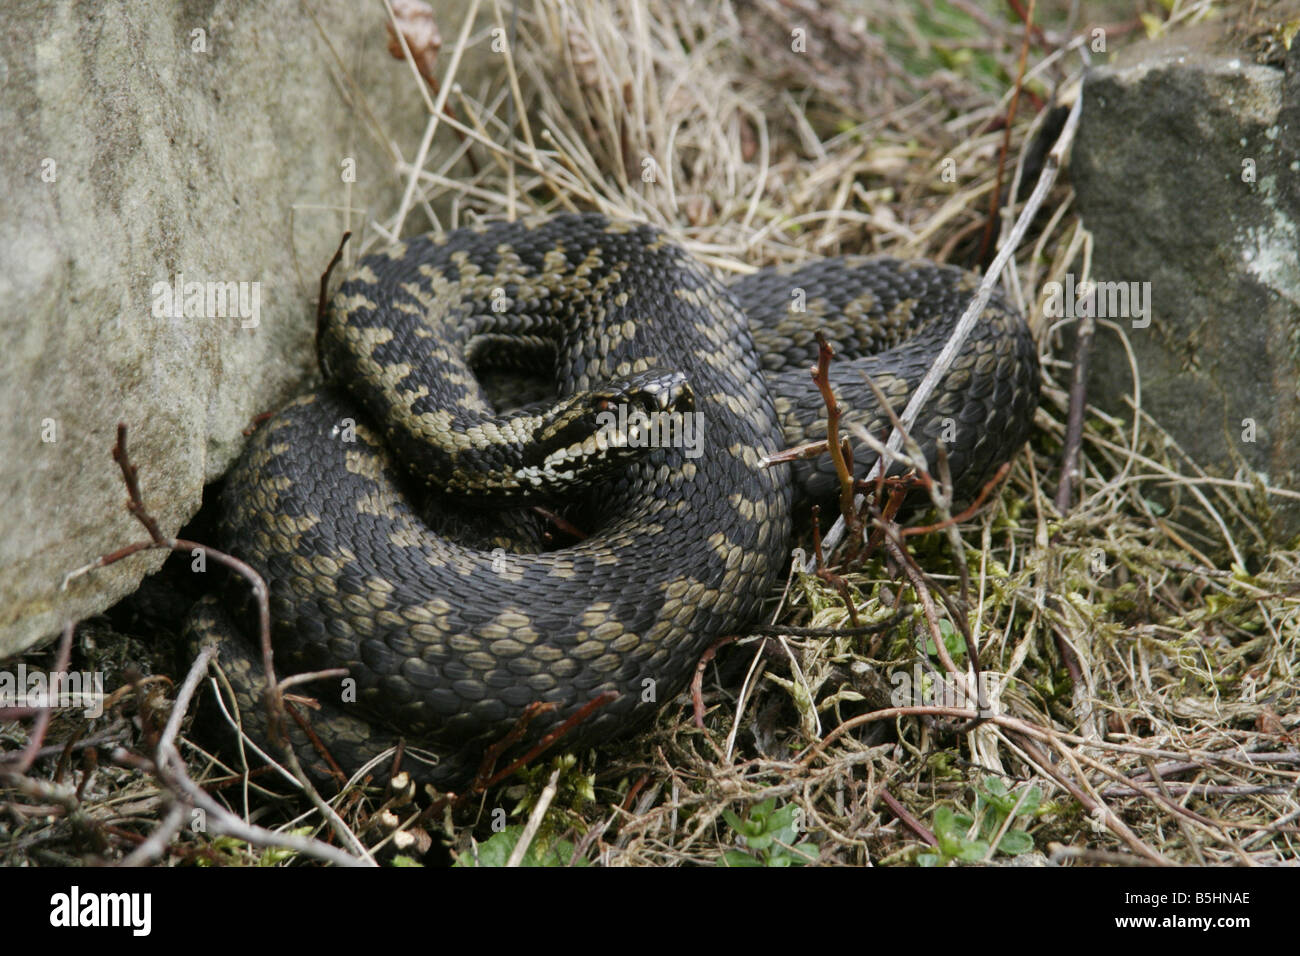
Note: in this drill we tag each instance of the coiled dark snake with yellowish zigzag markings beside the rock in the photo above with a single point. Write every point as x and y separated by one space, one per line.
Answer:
391 511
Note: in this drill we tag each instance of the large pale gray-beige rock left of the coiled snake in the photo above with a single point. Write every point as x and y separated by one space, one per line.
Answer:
141 142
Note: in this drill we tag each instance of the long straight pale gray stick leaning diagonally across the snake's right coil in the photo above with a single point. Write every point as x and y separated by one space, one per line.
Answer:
973 312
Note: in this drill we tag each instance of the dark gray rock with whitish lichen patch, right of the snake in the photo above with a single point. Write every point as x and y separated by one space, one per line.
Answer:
1188 171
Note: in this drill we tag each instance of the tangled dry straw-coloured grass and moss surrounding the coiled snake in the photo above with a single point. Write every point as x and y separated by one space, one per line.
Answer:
1142 635
